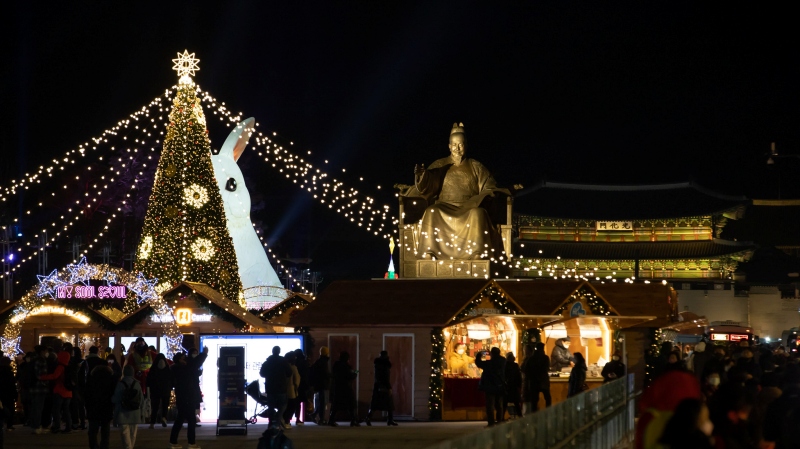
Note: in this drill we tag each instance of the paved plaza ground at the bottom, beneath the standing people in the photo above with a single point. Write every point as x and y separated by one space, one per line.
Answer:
409 435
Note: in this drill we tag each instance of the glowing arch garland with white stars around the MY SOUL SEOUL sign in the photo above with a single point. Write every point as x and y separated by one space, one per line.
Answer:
140 290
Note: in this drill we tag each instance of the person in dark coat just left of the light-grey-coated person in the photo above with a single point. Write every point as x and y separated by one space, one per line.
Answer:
100 388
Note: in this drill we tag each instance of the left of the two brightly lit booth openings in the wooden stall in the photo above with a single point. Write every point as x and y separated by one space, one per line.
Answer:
464 341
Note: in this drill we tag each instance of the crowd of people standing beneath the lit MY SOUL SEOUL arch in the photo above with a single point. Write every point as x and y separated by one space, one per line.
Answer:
62 392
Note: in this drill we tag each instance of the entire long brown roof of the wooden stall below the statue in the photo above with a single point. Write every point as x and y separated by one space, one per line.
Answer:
435 302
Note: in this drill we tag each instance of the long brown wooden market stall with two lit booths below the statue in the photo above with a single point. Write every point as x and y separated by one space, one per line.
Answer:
425 323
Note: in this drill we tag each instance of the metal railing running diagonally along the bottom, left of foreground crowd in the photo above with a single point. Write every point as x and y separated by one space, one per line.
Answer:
600 418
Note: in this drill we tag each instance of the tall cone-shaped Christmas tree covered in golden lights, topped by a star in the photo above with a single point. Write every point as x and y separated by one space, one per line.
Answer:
185 237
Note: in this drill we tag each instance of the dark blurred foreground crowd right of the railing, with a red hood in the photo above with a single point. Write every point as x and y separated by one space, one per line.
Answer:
723 397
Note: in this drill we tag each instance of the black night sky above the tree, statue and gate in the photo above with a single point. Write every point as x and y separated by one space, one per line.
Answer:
629 94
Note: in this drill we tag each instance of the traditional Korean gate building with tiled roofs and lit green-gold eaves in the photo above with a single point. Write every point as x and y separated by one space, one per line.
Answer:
666 232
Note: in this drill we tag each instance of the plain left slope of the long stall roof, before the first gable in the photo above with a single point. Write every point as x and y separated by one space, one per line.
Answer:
400 302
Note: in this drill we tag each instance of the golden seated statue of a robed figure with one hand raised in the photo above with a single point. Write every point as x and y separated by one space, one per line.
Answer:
455 226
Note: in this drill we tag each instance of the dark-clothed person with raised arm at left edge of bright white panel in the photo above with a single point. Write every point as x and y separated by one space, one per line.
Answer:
186 378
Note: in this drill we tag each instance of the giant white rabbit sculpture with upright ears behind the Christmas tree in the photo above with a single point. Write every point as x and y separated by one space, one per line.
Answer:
254 267
